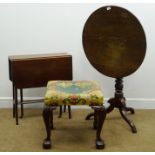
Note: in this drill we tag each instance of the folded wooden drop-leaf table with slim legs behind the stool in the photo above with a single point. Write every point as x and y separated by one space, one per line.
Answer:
31 71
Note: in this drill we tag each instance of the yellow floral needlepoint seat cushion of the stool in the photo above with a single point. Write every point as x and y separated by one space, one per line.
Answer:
73 93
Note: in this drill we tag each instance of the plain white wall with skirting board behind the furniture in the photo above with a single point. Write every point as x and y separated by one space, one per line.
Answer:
53 28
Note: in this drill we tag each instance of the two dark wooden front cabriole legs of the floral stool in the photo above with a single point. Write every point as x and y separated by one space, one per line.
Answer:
48 121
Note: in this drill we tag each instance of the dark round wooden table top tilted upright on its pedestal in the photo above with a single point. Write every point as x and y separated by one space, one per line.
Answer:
114 41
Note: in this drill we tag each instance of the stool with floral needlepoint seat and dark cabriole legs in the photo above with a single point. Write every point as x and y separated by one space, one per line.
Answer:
73 93
